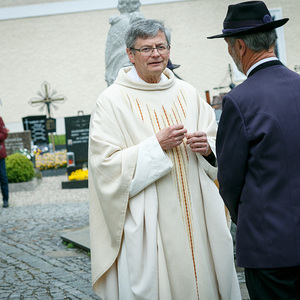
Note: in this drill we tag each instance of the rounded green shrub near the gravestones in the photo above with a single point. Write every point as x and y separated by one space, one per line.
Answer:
18 168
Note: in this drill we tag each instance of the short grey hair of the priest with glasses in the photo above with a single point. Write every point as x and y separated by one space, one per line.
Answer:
144 29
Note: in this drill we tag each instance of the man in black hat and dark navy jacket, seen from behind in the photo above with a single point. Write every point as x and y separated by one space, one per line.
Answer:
258 151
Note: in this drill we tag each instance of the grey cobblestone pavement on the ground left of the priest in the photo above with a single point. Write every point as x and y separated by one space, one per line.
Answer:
34 263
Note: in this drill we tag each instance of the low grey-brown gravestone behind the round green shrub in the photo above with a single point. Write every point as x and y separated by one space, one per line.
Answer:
18 140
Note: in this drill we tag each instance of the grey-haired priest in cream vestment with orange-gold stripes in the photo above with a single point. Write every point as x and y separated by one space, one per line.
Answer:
157 223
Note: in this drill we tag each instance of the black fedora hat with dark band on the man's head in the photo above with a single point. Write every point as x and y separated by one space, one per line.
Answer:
247 18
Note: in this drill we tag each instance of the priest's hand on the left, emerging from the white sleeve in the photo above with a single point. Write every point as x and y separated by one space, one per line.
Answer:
171 137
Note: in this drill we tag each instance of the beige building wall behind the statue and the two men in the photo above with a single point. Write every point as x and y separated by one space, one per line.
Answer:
67 51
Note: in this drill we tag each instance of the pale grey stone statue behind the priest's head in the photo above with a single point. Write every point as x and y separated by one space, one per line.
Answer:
115 51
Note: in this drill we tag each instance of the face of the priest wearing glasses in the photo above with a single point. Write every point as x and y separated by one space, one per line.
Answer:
149 68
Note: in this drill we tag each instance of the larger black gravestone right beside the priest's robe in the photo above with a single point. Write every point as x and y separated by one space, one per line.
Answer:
77 137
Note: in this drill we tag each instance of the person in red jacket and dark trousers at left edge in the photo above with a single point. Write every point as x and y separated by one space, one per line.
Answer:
3 176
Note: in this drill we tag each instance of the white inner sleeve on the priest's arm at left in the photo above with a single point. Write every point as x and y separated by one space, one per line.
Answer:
152 164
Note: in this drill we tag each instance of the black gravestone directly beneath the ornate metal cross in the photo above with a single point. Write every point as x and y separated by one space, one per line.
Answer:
37 126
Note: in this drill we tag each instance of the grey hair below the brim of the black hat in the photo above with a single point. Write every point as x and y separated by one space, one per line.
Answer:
257 41
